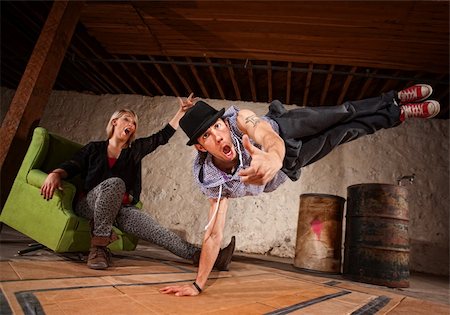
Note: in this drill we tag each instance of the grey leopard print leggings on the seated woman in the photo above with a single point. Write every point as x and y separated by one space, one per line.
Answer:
103 205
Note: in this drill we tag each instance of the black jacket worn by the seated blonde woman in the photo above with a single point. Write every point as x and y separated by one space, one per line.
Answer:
91 162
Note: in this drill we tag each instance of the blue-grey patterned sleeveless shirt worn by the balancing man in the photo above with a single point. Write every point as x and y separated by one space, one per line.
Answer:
210 178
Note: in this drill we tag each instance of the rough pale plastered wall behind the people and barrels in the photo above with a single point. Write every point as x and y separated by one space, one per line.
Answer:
268 223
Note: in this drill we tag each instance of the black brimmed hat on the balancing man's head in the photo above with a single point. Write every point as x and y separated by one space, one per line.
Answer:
198 119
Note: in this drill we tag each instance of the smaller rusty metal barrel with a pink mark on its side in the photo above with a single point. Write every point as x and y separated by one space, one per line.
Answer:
319 233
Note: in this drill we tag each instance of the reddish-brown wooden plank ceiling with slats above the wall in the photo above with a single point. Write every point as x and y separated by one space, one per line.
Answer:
303 53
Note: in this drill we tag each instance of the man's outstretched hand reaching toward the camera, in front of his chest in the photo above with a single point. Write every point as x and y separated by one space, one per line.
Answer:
264 165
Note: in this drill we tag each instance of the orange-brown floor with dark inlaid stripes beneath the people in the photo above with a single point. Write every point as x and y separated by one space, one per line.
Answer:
45 283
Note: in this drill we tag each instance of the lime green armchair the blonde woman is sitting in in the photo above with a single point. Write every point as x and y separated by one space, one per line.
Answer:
51 223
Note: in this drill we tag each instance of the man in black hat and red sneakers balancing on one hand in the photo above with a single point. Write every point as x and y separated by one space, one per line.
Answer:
240 154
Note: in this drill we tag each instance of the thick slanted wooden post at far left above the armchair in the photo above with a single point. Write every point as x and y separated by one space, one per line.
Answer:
28 103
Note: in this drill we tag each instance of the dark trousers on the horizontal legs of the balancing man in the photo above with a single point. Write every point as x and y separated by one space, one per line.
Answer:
310 133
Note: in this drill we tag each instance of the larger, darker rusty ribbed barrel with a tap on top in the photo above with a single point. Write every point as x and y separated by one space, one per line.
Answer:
376 248
